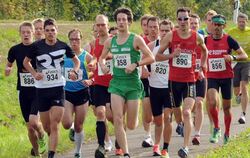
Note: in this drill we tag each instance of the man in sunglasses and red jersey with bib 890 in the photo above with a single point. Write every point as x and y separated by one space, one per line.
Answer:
183 42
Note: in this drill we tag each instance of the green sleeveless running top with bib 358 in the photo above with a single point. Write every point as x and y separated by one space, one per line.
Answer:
124 55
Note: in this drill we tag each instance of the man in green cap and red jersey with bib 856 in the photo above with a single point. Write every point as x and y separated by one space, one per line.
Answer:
220 73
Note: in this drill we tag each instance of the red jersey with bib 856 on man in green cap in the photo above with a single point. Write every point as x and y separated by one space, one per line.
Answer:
217 66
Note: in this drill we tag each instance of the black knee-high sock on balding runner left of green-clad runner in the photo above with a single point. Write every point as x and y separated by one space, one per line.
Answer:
100 132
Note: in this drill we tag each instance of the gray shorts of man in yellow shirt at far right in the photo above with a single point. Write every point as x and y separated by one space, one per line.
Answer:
241 73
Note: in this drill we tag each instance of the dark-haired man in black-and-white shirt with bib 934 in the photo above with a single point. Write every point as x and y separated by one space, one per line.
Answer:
49 54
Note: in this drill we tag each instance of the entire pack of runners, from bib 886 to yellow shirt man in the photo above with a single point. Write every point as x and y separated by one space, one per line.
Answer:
173 70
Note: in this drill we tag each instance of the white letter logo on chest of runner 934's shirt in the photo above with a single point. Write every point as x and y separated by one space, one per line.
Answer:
51 60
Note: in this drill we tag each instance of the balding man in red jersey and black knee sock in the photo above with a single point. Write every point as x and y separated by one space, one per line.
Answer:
101 84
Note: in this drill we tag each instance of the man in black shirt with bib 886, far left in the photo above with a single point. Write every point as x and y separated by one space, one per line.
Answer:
26 88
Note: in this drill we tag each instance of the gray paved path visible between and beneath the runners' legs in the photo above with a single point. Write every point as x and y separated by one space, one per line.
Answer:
135 138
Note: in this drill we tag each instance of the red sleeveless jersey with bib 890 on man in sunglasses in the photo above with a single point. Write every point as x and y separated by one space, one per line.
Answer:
182 67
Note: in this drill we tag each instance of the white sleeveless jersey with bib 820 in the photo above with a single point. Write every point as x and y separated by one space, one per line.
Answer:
159 70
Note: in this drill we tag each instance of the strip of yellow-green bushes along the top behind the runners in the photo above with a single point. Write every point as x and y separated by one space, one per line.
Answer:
82 10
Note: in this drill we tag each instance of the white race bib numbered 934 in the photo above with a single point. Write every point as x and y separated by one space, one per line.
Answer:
51 76
